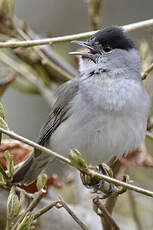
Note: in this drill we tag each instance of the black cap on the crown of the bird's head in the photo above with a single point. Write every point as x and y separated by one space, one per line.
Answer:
113 37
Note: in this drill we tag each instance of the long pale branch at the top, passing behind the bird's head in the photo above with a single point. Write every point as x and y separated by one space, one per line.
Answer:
67 38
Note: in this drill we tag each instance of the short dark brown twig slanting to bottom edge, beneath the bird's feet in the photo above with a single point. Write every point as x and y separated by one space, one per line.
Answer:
106 215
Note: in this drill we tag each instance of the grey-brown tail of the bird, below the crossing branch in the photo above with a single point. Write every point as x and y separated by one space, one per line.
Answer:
31 168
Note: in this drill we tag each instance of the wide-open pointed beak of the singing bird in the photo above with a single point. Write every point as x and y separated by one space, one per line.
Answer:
89 54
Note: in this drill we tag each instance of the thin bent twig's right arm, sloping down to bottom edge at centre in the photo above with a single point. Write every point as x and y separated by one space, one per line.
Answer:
77 220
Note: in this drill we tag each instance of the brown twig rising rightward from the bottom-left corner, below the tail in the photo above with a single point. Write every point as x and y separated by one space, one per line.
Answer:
31 206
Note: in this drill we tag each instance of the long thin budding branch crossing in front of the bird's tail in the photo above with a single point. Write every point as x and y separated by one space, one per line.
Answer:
87 171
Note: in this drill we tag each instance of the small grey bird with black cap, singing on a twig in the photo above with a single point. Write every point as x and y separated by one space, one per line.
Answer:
103 112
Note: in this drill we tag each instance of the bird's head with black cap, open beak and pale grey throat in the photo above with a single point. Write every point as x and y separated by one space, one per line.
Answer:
108 50
